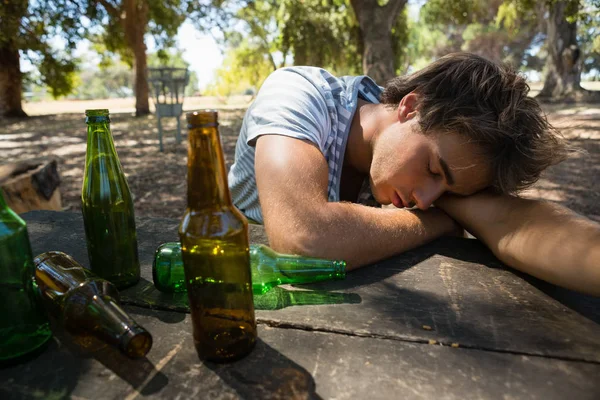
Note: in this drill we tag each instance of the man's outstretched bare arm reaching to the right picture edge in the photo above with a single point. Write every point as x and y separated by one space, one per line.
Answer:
540 238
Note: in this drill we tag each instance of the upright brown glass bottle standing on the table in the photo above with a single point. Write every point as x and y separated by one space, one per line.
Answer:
215 249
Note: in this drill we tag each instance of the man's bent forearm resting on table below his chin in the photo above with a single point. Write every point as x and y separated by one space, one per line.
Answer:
361 235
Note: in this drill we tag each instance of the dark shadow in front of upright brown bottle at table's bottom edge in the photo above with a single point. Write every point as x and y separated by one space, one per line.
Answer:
266 374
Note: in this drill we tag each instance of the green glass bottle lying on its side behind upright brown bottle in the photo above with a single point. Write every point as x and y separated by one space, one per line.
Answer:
269 269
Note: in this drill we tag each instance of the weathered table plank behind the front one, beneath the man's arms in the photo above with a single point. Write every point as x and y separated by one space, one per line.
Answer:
454 286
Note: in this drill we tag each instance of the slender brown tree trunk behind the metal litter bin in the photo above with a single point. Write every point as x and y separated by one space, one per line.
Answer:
135 23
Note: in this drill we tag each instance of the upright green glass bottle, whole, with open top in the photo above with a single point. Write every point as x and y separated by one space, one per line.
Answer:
107 207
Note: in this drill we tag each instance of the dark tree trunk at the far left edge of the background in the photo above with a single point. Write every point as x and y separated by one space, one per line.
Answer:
10 82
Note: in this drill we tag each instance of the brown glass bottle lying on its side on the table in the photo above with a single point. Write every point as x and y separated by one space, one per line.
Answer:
87 305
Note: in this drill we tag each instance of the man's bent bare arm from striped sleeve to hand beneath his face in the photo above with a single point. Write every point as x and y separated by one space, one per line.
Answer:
292 179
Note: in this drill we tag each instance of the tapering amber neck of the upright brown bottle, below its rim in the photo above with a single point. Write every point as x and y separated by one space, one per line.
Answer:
207 179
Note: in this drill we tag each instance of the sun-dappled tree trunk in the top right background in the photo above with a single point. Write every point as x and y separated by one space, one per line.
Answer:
563 64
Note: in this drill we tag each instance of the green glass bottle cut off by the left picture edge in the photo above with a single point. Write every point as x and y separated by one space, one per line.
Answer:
23 325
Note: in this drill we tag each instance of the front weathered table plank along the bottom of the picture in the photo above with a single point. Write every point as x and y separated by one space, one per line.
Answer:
291 363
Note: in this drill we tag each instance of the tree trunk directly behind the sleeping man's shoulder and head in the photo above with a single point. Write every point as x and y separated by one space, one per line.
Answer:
376 23
